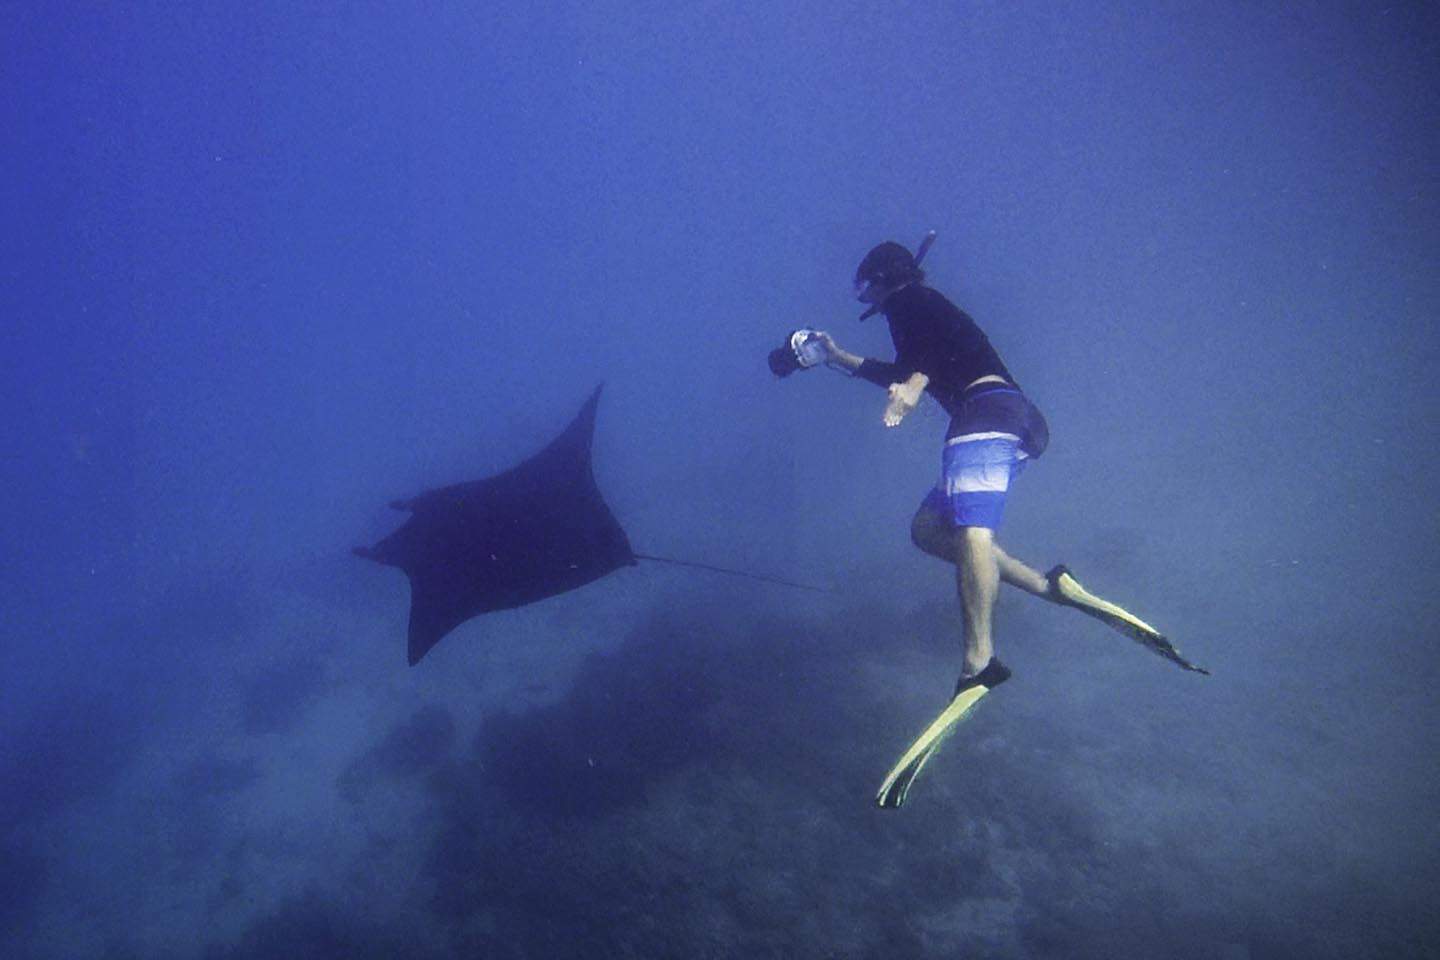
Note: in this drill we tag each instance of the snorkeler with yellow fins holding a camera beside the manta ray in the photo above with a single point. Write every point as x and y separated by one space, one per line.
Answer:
994 433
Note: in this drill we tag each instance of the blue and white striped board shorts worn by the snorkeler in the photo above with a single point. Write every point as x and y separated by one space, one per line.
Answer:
994 434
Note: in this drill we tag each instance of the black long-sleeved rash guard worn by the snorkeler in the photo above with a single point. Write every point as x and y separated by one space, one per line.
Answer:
938 339
